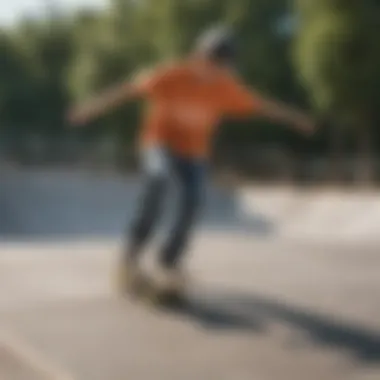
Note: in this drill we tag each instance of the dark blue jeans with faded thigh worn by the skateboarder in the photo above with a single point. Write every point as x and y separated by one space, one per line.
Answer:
189 175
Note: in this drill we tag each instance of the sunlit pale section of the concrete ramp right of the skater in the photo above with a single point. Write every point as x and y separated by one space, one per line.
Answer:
317 214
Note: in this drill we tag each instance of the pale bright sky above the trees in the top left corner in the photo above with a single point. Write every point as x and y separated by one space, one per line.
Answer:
11 10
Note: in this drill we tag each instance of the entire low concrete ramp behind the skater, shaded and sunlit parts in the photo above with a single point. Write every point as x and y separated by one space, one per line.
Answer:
42 204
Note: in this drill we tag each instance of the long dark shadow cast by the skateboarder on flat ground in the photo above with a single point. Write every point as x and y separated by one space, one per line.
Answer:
254 314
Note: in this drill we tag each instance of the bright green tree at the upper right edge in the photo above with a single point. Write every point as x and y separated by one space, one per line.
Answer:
338 55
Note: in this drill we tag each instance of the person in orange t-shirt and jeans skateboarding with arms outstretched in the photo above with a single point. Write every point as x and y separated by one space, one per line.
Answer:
187 99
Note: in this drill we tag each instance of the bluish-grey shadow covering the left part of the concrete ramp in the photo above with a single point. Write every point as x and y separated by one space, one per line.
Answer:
55 205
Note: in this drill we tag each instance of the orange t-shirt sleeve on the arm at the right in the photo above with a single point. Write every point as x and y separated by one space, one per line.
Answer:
240 101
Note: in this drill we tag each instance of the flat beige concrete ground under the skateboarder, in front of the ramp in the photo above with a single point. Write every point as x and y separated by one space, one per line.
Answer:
260 309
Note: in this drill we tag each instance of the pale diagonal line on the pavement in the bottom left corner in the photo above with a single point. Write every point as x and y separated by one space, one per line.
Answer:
33 357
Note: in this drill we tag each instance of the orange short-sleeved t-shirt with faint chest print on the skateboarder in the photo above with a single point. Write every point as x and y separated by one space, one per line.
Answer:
187 102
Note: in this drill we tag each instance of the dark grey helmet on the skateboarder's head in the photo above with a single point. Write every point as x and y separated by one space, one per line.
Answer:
217 44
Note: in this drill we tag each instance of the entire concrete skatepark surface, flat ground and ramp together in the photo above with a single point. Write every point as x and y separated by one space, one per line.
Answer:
284 287
